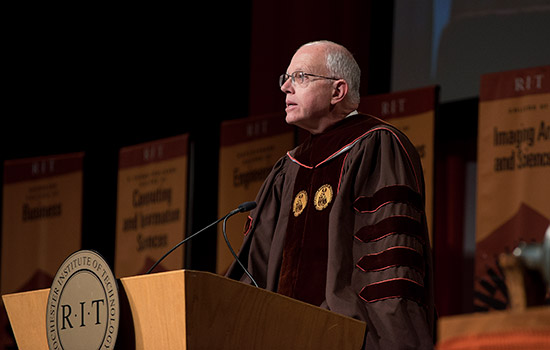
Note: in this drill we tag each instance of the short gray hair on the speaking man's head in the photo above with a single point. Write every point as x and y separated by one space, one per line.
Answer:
341 64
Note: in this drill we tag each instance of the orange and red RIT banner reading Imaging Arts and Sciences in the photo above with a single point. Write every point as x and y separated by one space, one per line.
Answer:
513 173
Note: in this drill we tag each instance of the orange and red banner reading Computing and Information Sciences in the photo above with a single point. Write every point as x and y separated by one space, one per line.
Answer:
151 205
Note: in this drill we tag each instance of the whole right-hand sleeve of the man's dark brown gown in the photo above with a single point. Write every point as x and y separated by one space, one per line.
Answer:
384 243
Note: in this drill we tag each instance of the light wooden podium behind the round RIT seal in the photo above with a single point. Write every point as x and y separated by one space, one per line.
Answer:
187 309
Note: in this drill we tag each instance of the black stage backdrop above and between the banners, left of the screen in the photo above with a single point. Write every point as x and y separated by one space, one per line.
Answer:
97 79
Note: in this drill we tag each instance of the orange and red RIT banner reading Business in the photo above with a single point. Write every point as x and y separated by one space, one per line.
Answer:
41 218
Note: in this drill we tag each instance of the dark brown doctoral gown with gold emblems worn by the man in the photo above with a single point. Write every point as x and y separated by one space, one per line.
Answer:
340 223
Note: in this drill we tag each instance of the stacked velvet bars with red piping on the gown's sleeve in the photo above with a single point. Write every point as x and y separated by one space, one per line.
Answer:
391 238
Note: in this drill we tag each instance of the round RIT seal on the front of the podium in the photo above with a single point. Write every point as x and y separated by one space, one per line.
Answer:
83 306
